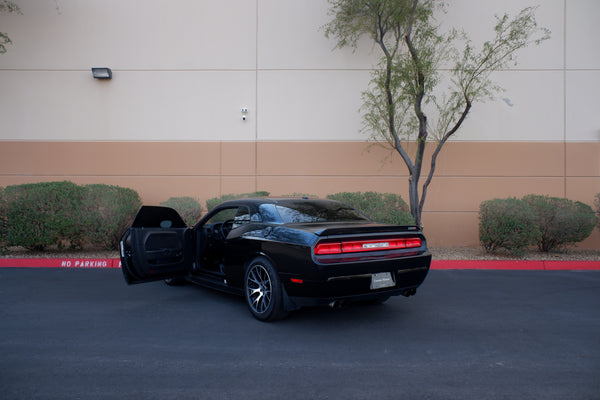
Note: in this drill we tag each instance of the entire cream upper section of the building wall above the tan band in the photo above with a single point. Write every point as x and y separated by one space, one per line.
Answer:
183 69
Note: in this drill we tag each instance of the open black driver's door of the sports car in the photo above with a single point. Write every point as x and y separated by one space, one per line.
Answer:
158 245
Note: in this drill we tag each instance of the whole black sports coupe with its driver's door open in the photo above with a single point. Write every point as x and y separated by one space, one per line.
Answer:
280 254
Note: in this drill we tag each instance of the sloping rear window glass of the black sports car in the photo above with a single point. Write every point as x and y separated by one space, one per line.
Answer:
303 211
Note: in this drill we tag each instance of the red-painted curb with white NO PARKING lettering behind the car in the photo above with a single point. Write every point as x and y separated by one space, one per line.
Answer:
435 264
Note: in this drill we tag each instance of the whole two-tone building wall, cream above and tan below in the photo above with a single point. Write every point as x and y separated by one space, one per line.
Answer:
169 123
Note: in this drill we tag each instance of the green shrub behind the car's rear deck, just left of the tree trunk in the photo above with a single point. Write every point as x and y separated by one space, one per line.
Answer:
387 208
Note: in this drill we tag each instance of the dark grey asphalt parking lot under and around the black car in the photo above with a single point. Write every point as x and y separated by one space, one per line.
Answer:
84 334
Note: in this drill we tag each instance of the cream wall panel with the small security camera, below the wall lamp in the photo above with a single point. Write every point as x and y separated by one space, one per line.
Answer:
140 105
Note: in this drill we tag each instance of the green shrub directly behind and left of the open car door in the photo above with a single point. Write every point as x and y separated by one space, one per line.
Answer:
106 212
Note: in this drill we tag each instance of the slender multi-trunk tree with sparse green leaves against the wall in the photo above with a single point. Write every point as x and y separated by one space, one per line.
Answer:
406 84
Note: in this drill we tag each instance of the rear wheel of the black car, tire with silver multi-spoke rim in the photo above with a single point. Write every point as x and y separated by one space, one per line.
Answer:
263 292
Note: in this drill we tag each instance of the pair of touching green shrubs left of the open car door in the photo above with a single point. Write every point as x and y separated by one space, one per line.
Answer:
40 215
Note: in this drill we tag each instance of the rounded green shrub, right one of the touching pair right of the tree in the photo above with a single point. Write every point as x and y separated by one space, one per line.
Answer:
561 222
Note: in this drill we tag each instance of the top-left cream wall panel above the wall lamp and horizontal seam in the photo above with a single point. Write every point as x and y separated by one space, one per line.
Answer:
131 34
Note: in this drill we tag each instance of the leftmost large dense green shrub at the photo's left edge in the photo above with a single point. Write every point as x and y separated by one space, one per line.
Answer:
39 215
